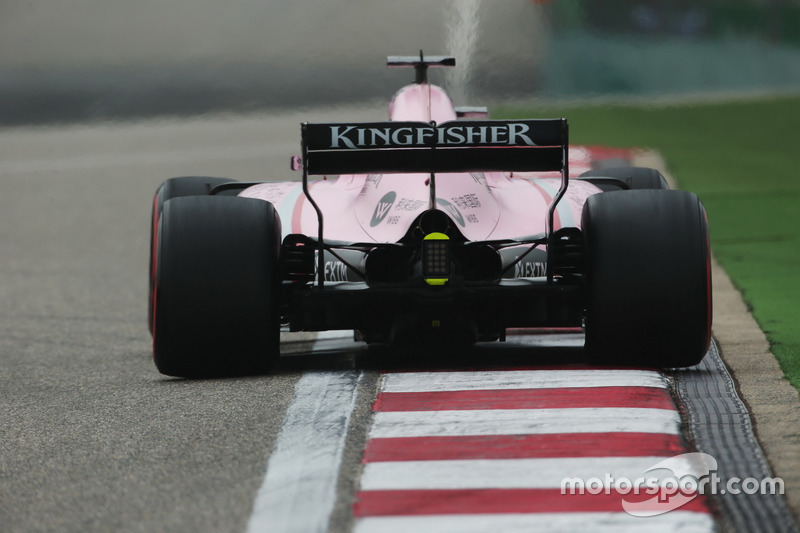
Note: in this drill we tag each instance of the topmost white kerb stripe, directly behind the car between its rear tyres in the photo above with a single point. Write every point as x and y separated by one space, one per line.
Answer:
520 379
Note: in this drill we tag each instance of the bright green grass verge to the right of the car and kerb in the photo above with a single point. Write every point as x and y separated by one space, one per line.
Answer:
743 160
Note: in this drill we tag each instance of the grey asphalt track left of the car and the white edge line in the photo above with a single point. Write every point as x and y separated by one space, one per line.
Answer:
93 438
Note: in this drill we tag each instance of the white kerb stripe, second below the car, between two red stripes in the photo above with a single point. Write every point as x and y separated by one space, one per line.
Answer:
524 421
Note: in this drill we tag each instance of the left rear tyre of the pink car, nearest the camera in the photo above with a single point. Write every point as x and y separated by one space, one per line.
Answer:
216 300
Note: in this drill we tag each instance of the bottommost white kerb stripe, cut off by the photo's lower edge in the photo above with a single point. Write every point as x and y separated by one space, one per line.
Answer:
683 521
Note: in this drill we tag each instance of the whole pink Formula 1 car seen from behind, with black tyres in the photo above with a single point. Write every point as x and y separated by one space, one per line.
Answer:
431 227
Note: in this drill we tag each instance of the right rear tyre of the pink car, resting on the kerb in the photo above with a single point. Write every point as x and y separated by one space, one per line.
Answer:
648 278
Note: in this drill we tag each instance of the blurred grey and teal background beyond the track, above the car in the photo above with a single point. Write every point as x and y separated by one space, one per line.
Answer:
88 60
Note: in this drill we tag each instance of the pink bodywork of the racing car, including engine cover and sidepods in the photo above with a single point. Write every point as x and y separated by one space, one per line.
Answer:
381 208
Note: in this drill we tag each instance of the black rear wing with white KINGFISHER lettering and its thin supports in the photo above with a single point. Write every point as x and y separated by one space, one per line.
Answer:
418 147
